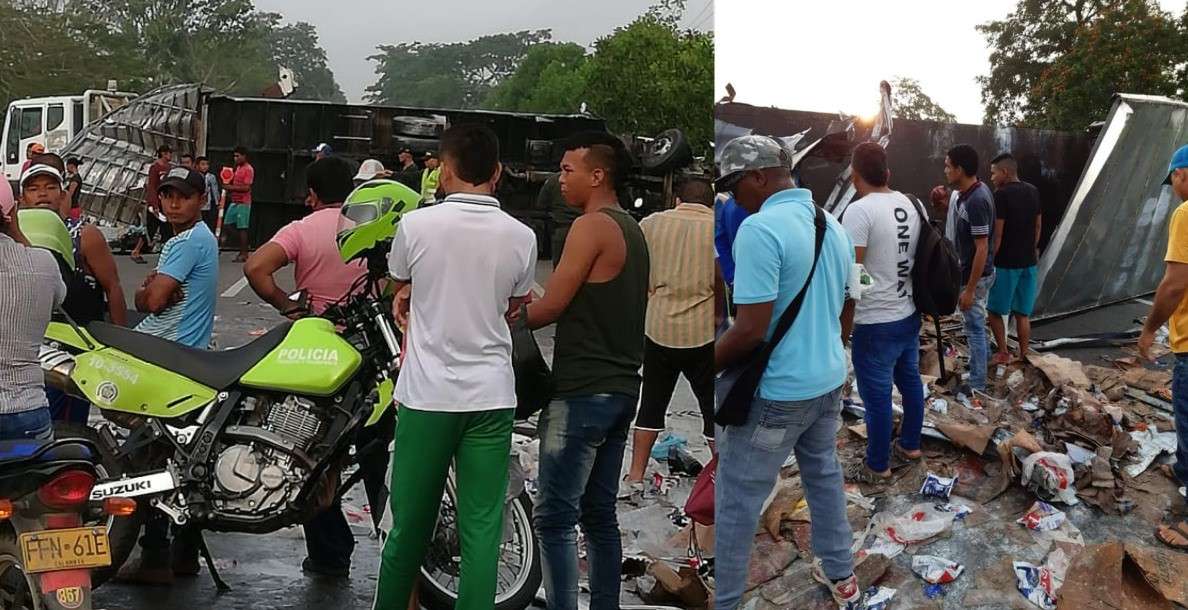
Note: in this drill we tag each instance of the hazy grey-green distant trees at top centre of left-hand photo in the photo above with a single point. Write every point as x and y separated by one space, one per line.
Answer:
448 74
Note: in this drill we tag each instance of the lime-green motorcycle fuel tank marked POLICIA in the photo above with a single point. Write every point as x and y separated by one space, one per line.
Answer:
312 361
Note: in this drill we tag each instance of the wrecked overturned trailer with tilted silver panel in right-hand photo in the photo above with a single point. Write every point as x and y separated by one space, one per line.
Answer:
1105 209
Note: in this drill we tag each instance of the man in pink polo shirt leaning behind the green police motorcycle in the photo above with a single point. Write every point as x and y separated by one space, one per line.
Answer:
311 246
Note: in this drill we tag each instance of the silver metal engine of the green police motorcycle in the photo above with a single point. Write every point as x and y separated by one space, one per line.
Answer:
255 477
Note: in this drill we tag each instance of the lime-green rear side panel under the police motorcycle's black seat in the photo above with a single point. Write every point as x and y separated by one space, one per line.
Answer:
116 381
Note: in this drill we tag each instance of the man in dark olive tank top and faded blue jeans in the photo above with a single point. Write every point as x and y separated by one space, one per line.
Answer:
598 297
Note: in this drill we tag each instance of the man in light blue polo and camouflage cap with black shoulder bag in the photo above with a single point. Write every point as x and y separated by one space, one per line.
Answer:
799 406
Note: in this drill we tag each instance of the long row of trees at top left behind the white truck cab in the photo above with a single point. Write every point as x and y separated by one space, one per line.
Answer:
58 47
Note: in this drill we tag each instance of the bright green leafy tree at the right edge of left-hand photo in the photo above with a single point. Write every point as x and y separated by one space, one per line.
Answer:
650 77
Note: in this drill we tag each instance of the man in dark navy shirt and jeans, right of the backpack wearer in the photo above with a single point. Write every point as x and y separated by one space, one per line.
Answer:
971 229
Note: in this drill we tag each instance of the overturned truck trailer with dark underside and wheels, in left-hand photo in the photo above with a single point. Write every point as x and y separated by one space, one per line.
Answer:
281 135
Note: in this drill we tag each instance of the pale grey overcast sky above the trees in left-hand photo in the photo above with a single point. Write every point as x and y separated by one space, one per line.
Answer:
351 32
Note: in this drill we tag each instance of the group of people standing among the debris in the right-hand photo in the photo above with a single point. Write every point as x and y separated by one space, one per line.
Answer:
779 259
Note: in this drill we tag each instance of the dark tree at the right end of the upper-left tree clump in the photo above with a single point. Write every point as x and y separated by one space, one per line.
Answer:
296 48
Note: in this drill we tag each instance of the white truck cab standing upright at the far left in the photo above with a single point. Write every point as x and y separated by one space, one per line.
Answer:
53 122
